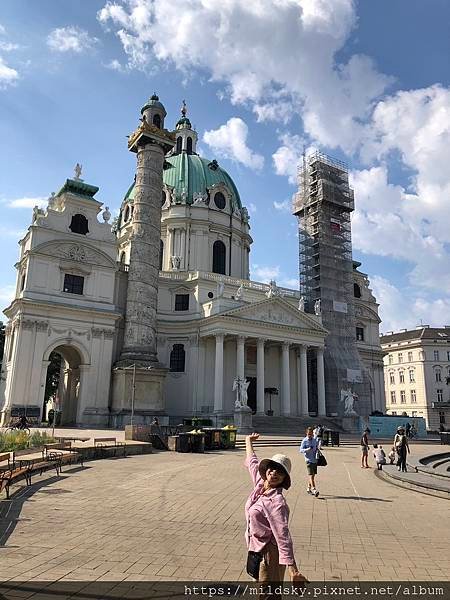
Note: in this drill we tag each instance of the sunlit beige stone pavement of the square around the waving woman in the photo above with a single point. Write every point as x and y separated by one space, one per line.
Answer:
168 516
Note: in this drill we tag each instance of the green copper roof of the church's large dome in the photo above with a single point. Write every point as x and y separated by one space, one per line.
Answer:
194 175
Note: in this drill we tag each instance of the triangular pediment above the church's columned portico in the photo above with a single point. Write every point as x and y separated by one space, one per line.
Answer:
275 311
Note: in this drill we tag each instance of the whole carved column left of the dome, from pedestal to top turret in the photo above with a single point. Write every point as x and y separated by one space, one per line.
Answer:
150 142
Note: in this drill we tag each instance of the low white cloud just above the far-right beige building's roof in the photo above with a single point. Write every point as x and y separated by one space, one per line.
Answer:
400 310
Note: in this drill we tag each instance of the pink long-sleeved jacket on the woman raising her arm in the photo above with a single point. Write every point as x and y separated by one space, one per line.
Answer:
267 517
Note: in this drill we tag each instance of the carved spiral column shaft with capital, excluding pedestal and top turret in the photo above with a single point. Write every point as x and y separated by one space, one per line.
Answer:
150 144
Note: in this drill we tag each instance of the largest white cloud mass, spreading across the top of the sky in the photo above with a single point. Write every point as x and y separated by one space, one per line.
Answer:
278 55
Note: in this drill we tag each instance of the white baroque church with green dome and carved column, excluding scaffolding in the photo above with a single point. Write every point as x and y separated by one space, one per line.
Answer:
155 313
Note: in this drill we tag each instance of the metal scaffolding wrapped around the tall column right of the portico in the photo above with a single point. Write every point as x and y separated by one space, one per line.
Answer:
323 205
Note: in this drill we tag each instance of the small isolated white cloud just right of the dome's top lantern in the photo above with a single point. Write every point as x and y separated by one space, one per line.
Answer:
230 141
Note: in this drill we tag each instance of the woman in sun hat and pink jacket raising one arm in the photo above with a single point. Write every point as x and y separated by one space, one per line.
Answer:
267 513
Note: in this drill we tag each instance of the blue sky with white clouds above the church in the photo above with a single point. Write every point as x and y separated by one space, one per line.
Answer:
365 81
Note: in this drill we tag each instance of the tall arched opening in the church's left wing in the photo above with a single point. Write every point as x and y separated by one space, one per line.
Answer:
62 385
